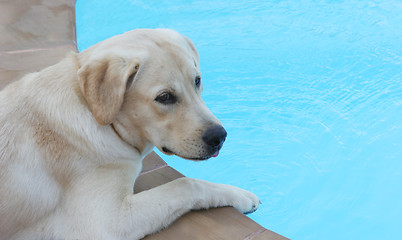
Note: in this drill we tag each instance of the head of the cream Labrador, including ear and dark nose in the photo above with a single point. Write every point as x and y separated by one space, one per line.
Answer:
147 85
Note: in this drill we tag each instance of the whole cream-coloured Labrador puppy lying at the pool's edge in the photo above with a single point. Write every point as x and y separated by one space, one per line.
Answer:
73 137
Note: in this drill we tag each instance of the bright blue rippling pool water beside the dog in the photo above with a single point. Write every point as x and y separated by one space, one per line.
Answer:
311 95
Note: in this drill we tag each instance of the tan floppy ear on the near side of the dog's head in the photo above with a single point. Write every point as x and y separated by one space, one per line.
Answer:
103 83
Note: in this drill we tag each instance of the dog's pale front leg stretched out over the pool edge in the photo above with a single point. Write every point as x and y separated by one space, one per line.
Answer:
150 211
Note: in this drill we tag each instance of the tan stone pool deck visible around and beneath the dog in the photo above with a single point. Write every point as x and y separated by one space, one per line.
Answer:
38 33
